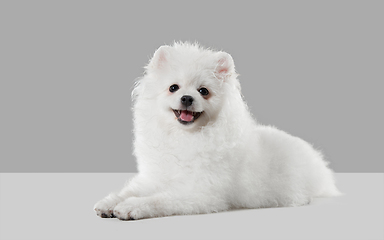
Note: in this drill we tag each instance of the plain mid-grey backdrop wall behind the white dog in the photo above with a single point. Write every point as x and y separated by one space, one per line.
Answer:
313 69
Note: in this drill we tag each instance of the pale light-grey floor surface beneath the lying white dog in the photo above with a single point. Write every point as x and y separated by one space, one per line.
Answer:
60 206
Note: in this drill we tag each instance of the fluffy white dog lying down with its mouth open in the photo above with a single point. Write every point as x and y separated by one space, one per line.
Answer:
199 150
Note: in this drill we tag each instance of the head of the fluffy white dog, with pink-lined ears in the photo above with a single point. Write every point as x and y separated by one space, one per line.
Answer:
186 83
